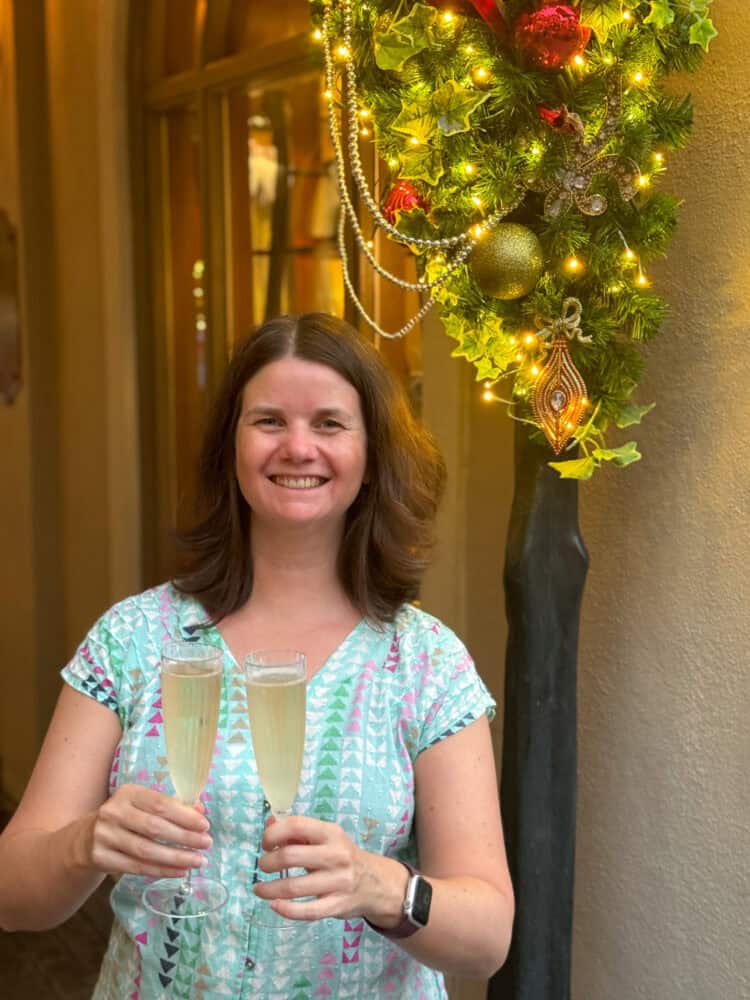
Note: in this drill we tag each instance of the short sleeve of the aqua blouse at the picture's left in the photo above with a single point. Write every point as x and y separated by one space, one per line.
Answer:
96 669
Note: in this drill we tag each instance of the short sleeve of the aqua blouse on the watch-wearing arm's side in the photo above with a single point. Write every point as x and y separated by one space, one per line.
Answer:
452 695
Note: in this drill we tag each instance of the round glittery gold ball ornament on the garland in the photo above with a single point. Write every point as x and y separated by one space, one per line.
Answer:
507 262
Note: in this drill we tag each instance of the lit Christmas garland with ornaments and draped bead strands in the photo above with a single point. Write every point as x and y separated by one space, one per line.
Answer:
525 146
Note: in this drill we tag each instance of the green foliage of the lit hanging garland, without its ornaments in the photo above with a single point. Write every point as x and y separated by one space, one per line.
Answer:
455 111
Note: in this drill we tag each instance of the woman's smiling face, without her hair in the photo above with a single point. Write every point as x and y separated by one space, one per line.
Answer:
301 444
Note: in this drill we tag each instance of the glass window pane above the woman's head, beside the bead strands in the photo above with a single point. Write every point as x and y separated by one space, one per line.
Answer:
284 203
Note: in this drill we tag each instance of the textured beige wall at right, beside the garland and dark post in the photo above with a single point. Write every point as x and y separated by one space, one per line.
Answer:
664 799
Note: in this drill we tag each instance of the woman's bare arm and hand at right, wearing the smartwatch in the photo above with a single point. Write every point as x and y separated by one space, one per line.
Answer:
461 853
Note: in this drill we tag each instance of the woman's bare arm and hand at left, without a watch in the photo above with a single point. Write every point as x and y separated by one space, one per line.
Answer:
67 834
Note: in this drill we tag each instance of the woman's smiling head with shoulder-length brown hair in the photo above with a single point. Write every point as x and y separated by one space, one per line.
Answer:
275 405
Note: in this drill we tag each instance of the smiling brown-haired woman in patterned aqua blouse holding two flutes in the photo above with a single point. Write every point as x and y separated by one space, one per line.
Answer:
319 494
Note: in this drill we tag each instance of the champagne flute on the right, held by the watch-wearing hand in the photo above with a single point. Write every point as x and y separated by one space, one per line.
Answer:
276 705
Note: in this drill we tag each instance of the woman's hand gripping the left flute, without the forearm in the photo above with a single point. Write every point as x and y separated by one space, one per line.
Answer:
139 831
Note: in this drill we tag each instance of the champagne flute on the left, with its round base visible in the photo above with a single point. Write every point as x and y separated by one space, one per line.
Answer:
191 692
